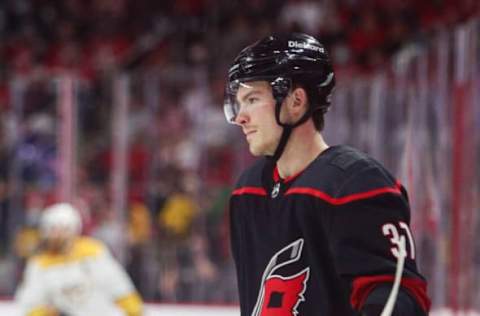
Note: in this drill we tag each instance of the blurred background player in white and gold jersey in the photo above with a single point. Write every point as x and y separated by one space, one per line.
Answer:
74 275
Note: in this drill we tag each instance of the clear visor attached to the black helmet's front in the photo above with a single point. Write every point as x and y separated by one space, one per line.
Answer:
231 107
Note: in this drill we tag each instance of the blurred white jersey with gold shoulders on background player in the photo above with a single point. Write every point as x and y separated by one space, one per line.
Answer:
86 281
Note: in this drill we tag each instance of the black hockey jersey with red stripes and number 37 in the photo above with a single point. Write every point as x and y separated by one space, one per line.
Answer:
317 243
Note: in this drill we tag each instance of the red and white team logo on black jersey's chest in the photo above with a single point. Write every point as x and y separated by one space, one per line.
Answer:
280 295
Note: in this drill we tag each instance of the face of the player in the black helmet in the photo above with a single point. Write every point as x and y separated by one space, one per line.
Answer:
257 117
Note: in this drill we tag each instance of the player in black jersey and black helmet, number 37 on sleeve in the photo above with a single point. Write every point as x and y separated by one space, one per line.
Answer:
315 229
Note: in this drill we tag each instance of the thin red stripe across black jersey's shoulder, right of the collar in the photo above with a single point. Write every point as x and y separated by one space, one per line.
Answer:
345 199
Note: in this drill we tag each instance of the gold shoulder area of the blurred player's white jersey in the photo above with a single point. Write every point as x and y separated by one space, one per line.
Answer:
82 248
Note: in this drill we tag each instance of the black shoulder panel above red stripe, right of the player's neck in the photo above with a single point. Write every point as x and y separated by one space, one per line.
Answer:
343 170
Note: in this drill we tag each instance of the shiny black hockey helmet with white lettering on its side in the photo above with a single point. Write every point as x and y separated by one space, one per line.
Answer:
283 60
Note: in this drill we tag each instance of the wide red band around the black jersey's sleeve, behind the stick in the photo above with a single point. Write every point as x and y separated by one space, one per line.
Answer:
363 286
